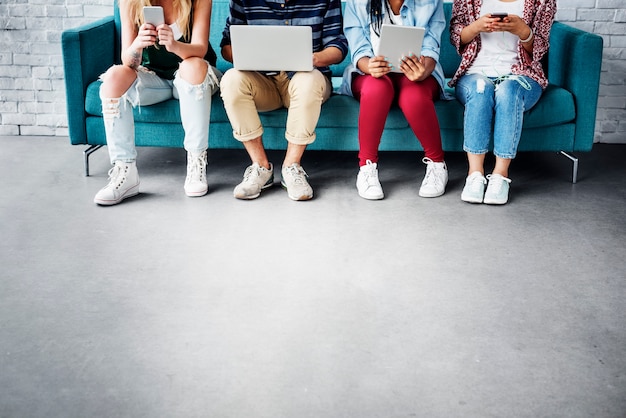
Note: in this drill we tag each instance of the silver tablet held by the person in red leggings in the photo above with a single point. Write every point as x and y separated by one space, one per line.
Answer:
398 41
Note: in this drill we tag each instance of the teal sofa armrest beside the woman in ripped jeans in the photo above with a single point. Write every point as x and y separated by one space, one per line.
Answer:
87 52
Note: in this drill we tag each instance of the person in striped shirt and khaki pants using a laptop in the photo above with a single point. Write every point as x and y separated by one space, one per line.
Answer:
245 93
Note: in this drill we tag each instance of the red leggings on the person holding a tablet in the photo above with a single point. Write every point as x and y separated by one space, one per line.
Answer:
415 99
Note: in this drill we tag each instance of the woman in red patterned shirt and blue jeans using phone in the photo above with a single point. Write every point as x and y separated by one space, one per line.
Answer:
501 43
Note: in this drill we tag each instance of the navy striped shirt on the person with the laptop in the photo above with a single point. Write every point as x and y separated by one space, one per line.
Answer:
323 16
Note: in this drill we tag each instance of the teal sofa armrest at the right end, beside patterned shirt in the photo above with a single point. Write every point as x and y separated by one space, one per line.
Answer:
574 63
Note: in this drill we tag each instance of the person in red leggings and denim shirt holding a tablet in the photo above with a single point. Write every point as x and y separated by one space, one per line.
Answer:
370 80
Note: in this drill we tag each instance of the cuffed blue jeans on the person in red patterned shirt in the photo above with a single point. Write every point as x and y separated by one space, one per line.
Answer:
500 102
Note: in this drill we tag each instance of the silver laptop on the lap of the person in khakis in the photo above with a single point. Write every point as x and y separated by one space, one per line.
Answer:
272 48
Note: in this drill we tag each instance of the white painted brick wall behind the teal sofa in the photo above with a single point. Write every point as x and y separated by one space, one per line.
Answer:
32 92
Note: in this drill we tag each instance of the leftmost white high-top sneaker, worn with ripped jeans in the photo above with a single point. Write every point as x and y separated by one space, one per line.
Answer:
123 183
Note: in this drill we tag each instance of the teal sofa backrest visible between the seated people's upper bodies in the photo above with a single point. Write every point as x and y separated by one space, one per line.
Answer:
448 56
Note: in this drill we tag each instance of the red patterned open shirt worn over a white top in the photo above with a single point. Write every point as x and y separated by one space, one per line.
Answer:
538 14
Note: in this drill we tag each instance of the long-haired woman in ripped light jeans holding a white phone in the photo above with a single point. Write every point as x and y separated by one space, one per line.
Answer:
158 63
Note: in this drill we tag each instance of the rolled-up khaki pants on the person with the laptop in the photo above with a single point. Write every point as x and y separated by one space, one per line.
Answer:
245 93
